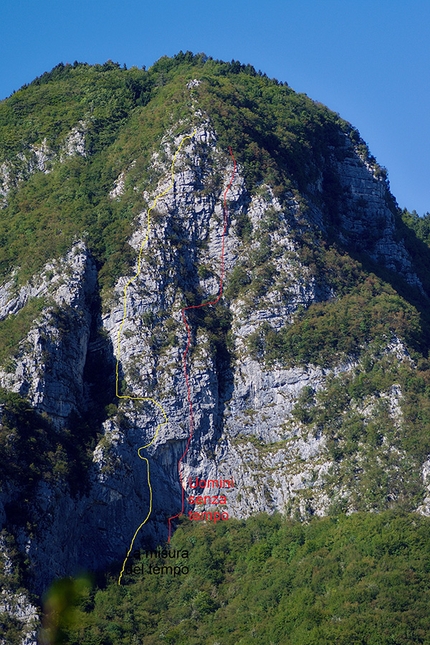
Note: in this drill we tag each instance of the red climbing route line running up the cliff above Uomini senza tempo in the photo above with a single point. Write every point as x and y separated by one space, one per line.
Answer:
184 357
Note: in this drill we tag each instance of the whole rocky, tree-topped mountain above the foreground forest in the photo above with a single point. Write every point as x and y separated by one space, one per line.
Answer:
205 277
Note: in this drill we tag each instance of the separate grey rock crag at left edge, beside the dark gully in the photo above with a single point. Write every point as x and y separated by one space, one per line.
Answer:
48 368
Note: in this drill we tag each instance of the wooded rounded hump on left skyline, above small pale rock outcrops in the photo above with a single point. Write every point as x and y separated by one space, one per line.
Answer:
101 96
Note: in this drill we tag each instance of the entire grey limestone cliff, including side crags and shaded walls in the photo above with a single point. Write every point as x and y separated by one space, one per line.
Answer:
282 429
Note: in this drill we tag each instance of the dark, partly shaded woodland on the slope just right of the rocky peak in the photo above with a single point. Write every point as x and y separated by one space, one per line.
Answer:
278 136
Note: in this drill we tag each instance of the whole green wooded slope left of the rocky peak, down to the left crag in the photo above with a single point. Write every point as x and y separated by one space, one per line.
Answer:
47 212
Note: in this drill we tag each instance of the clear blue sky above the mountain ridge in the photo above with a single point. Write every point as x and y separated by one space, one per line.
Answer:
369 60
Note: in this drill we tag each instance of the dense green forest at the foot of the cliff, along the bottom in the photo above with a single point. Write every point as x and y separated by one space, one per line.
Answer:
358 579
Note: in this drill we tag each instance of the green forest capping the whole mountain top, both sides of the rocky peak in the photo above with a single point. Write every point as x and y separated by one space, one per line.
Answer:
277 135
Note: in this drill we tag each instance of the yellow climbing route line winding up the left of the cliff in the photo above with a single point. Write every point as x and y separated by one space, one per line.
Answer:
118 351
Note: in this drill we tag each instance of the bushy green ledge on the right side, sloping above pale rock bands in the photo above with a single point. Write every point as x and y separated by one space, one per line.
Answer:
328 331
